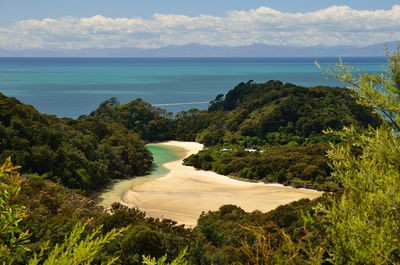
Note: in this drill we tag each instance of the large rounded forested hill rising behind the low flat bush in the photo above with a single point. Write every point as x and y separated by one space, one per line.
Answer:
280 114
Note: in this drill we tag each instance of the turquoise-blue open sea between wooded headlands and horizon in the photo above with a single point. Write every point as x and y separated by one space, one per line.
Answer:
70 87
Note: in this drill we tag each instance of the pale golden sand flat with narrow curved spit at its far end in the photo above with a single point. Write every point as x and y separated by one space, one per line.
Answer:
185 192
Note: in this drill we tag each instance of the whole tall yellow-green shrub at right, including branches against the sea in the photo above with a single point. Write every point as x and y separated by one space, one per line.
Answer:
363 226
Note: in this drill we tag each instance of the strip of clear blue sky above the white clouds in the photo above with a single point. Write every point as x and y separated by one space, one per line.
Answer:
14 10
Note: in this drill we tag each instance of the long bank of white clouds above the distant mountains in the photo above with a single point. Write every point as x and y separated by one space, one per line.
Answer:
336 25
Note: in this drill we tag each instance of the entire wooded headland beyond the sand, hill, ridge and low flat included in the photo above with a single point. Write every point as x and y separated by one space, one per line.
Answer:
284 121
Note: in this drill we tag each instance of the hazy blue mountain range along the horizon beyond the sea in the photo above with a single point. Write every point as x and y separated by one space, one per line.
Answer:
197 50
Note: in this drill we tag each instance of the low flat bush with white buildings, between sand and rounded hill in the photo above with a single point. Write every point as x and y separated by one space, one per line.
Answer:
302 166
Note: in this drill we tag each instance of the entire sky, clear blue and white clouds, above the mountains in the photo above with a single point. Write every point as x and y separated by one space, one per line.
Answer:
76 24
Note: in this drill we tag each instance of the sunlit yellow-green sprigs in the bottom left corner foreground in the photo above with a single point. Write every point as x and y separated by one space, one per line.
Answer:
13 240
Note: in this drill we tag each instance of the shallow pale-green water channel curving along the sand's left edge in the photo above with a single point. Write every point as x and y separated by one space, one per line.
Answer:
161 154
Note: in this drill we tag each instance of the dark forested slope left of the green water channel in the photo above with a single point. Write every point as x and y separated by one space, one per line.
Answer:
80 154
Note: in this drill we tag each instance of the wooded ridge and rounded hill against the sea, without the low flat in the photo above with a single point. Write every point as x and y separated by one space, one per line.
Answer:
272 113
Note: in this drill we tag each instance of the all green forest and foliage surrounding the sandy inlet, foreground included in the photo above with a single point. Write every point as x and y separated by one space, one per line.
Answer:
47 218
